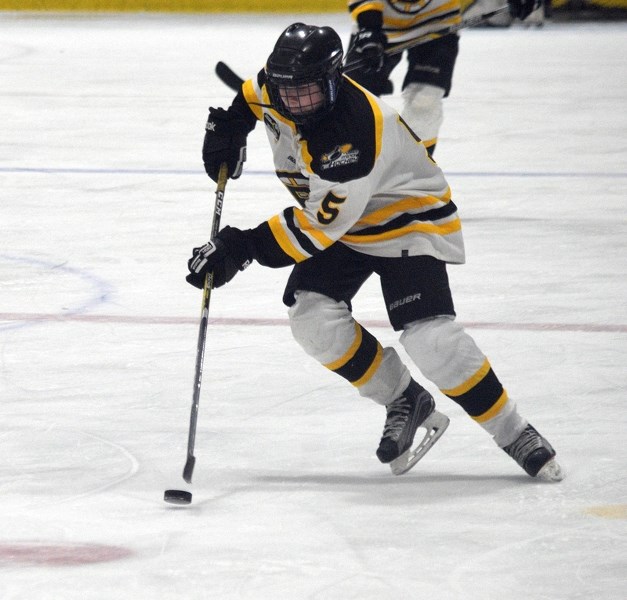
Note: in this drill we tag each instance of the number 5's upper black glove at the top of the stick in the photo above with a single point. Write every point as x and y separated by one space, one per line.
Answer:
225 141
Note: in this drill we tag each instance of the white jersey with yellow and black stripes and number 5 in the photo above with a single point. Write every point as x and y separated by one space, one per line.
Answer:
361 177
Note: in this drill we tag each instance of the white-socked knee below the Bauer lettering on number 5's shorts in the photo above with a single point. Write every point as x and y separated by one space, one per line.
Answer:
442 350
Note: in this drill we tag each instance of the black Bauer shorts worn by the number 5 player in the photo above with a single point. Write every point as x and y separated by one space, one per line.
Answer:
414 287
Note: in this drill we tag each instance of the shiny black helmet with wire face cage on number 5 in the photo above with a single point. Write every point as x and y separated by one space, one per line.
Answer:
303 72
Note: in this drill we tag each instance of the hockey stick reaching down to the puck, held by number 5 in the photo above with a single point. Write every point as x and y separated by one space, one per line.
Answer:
202 333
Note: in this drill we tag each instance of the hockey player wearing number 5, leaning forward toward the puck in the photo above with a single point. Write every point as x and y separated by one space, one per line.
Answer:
371 201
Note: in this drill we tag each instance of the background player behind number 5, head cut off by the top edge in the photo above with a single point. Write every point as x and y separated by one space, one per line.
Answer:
380 24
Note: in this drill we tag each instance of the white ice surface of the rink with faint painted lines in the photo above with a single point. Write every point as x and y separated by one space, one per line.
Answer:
103 196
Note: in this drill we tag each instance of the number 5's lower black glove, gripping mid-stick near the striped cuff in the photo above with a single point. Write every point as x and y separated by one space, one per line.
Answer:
225 255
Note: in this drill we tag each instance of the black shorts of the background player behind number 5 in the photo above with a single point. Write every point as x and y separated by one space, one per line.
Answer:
432 63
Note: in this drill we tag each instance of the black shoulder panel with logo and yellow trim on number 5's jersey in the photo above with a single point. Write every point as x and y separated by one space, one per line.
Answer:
343 146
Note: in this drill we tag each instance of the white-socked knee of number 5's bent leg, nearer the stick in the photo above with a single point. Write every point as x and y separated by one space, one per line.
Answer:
319 323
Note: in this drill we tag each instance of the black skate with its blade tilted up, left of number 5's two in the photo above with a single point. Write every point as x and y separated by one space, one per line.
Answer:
415 408
